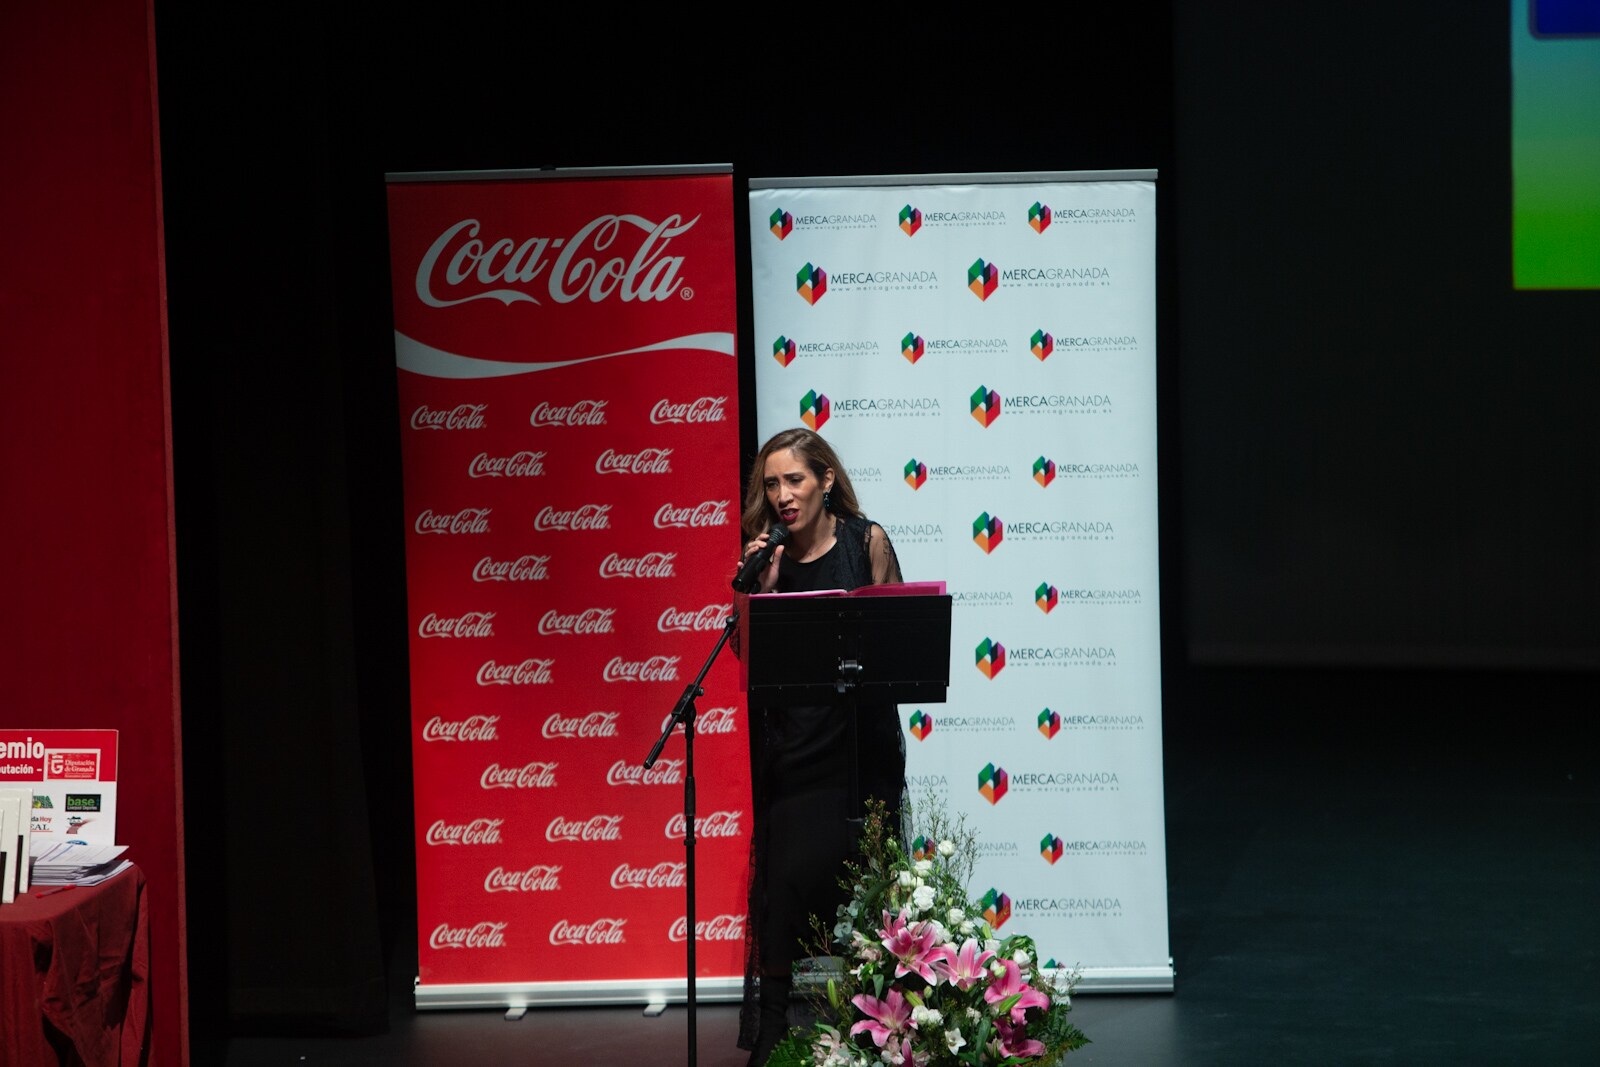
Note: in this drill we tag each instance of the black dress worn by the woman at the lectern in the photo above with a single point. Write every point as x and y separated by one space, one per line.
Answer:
804 831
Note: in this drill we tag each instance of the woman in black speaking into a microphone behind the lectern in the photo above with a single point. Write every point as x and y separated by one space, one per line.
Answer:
799 761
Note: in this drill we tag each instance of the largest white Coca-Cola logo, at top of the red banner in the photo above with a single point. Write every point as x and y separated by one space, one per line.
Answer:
623 255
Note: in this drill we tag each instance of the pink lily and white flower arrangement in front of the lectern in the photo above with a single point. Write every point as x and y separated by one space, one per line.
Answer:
922 978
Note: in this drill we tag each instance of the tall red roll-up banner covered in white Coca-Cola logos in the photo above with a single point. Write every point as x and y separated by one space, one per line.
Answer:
569 418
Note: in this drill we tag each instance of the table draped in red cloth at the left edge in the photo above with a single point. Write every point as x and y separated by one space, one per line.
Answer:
76 975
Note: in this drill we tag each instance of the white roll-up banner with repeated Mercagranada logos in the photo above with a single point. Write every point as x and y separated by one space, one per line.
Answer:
982 353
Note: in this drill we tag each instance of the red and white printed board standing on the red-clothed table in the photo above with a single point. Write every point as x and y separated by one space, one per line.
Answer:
73 775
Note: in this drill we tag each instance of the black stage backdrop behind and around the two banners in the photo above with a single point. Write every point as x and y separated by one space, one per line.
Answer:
1372 450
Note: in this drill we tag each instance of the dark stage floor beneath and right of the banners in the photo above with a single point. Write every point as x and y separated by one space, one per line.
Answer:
1391 869
